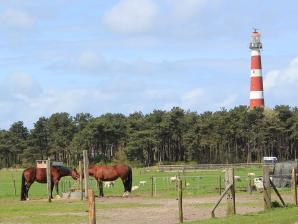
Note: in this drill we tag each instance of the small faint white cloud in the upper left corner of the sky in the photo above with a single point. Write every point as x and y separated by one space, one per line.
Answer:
16 19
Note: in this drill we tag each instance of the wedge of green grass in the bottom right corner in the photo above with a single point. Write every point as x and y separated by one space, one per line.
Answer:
272 216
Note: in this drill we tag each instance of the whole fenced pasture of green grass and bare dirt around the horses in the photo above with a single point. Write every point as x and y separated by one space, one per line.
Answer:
200 194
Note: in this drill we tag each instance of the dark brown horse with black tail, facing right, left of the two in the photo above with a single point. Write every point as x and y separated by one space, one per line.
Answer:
32 174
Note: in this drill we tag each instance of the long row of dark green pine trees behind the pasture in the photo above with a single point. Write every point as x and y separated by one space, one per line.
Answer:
225 136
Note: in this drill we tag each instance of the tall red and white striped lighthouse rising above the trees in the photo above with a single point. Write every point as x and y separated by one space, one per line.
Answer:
256 97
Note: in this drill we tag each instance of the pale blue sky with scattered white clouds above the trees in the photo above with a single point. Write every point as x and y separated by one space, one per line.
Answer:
123 56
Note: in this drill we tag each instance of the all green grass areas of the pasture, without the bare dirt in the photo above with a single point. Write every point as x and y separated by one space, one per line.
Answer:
197 184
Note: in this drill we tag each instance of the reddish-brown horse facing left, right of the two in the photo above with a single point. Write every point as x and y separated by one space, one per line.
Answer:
111 173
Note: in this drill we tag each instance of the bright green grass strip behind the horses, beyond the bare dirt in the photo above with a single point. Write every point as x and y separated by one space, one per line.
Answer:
198 183
